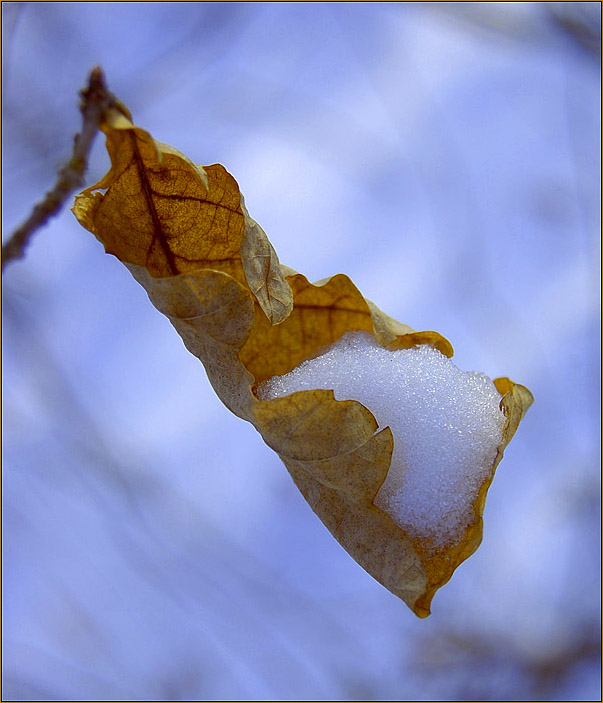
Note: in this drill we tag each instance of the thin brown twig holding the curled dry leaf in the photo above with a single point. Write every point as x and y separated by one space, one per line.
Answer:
96 100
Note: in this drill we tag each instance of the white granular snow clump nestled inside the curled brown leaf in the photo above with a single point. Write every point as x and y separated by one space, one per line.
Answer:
446 424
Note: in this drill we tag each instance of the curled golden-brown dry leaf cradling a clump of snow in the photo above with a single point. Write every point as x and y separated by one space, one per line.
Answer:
184 233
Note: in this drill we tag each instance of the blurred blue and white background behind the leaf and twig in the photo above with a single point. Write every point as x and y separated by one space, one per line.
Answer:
446 156
